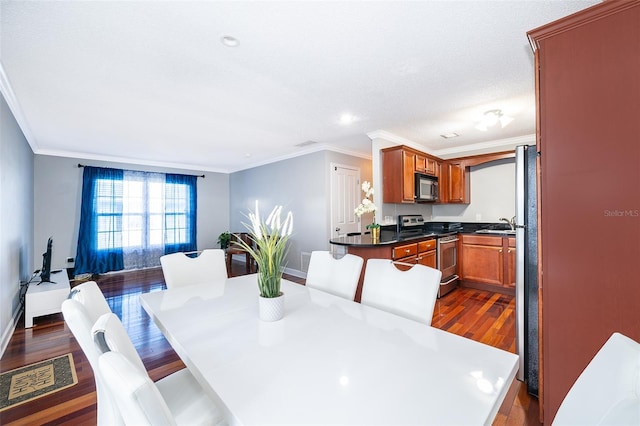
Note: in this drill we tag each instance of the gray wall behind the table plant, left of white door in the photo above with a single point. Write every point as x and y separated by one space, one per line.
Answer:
301 185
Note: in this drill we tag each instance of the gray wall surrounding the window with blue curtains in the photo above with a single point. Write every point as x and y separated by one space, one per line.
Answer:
58 189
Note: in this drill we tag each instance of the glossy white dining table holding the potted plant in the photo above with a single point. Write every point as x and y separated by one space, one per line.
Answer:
328 361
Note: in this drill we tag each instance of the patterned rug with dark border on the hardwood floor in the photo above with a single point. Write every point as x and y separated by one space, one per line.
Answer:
35 380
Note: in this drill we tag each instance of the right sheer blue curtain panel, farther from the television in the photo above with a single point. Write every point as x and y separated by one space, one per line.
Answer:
180 213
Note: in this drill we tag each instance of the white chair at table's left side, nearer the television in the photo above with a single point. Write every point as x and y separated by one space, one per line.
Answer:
80 311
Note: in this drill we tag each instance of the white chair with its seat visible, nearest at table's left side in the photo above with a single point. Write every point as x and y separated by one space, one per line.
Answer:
175 399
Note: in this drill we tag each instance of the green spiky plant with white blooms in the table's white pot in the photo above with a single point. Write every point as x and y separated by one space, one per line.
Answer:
268 247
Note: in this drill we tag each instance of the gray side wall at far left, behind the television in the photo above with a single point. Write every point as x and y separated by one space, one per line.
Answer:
16 219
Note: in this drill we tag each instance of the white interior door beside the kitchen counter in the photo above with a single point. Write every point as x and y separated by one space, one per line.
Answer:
345 193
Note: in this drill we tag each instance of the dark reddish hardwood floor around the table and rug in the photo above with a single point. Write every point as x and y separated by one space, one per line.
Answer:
476 314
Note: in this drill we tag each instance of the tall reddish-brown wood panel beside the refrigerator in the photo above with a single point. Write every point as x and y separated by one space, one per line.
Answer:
588 94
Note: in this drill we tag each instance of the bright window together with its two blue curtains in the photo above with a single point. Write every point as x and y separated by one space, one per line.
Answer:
129 219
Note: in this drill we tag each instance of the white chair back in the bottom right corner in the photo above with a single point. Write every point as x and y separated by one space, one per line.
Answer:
607 392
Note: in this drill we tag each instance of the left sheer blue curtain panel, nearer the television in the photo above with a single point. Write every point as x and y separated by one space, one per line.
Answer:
100 252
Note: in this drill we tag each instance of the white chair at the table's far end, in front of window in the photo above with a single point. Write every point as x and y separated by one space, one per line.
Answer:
180 270
